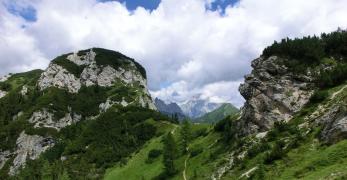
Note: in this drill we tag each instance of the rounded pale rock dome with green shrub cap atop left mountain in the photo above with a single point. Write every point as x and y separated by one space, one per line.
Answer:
95 66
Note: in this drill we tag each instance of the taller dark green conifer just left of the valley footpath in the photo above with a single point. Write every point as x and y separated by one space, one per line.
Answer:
170 154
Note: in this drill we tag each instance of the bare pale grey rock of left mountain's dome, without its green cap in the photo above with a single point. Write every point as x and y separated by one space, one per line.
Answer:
94 74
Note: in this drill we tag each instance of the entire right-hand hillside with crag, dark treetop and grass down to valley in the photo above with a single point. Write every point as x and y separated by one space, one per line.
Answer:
293 124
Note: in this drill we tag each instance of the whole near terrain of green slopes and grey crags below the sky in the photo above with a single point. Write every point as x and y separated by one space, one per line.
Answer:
89 118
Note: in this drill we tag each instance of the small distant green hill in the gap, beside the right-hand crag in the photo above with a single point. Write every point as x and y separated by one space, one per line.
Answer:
218 114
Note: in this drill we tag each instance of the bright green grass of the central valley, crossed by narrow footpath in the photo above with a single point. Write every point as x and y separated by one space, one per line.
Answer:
199 164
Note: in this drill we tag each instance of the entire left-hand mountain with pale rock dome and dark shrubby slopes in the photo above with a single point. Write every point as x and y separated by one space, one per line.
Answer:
85 112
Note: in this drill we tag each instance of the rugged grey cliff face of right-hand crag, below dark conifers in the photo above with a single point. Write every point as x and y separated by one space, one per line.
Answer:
272 93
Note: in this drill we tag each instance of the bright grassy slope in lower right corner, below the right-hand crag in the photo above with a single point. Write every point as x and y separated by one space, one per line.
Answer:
303 156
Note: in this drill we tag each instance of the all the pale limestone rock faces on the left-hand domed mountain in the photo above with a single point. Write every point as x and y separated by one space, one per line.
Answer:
75 71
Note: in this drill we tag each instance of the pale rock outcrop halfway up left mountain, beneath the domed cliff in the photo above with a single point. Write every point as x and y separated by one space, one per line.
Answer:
46 119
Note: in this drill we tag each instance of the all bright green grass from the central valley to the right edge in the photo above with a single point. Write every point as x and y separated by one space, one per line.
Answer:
304 156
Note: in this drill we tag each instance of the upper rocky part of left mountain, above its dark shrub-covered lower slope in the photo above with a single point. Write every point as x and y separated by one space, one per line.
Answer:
79 86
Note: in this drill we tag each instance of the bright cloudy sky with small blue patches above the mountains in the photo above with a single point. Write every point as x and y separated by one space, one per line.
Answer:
190 48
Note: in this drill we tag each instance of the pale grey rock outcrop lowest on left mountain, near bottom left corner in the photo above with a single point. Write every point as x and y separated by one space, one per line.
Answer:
29 147
